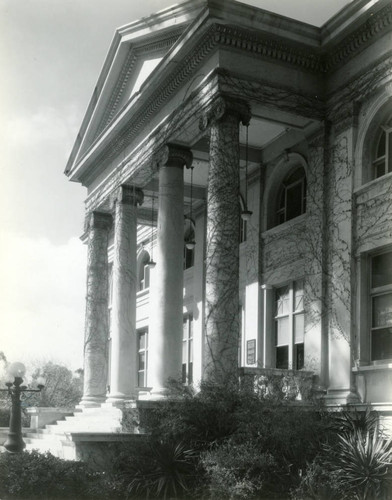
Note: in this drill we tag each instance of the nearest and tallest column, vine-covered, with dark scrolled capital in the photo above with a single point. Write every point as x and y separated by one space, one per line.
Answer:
222 245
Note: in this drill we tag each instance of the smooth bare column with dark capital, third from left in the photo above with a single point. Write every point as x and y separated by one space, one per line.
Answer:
165 352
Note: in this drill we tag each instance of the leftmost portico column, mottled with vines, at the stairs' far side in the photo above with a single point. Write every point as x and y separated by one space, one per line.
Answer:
97 314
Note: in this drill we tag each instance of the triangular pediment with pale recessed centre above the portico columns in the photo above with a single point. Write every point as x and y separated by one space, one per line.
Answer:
136 51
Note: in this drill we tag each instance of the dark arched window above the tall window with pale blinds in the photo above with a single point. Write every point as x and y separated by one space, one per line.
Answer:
292 196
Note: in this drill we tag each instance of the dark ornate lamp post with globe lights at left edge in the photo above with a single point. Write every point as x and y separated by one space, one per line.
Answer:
15 389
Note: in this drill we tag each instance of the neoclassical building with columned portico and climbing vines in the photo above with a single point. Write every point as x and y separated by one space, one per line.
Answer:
238 167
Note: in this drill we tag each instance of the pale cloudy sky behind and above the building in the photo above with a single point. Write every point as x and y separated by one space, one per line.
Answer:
51 54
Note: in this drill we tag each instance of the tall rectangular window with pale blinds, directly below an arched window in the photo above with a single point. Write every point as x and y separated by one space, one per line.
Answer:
290 326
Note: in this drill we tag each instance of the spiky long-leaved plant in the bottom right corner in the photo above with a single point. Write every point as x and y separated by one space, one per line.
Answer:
357 464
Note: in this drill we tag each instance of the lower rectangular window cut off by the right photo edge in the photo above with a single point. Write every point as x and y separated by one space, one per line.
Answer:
381 306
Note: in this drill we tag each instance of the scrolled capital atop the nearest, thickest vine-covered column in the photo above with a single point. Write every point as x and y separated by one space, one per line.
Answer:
223 106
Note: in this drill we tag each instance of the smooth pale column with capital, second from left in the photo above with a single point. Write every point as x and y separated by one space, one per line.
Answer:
123 366
